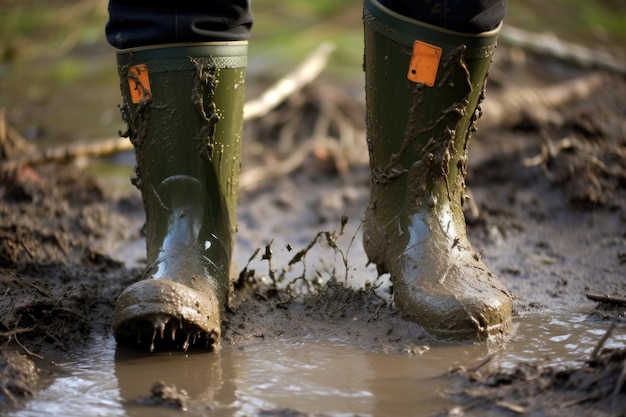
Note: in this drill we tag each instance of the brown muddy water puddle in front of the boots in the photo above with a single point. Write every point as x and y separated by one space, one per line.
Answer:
333 377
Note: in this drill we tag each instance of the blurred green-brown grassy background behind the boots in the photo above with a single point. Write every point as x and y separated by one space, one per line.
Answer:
58 81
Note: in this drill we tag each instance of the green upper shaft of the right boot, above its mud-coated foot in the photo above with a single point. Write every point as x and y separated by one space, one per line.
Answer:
423 89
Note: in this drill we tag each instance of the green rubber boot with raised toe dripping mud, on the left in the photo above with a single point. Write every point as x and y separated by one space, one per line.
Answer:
183 105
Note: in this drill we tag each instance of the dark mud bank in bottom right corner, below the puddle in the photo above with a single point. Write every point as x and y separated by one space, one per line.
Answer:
593 388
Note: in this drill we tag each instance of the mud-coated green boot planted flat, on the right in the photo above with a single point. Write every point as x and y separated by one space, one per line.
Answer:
423 89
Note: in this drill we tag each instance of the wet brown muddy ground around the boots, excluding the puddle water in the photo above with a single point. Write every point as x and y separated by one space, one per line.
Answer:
548 187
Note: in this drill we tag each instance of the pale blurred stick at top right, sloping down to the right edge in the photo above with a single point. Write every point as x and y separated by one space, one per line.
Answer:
552 46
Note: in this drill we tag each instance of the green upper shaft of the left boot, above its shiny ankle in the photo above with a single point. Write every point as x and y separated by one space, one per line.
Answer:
183 105
